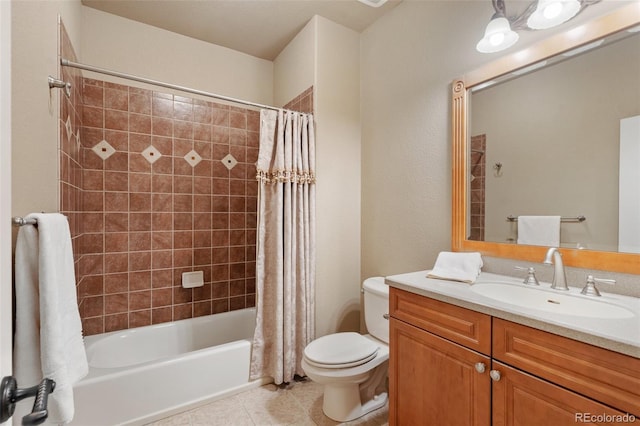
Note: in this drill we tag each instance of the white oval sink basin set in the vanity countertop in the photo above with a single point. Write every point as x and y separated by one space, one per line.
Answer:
550 301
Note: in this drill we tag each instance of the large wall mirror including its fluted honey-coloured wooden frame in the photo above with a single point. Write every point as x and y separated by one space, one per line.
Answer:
502 170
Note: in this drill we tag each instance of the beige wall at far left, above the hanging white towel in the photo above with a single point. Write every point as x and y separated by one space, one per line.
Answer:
34 106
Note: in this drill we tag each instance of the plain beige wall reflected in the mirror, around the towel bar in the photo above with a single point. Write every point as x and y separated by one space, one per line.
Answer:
556 132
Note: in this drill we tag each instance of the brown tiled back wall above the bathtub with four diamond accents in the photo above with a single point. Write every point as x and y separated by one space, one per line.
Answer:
168 187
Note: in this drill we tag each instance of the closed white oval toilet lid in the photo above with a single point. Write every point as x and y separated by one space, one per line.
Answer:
340 350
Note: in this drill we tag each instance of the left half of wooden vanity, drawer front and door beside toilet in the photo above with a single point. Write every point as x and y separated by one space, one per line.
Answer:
434 378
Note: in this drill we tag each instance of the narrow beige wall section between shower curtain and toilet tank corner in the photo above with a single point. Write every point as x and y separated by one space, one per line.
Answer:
338 155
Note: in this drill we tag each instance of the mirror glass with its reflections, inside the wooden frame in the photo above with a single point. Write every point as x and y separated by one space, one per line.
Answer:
546 142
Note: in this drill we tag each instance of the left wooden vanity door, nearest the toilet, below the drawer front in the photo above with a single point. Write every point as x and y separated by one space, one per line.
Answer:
433 381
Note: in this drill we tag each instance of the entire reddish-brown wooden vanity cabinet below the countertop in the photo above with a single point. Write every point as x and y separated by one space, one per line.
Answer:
443 357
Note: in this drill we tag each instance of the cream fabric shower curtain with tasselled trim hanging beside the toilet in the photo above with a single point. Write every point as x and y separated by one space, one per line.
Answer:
285 247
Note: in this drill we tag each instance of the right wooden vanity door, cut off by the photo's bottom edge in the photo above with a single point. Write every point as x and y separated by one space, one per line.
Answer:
522 399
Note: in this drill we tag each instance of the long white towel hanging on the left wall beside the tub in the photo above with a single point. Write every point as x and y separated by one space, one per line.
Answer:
48 338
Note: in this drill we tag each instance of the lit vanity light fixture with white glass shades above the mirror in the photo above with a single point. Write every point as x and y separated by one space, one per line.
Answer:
501 34
